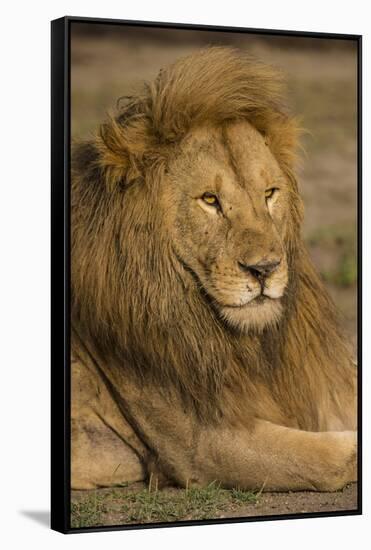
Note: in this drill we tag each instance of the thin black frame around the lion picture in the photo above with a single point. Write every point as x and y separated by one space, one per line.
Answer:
60 268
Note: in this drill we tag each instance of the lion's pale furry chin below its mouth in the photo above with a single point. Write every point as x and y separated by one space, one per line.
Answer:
255 315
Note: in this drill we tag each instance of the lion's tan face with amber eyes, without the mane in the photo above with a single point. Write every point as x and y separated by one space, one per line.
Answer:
226 201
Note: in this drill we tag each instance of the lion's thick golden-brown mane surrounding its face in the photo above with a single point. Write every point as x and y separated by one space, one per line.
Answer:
132 301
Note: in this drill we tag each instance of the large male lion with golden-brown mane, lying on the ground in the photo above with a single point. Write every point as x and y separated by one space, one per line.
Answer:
205 347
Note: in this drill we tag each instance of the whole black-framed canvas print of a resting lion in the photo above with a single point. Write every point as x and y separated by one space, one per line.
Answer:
206 184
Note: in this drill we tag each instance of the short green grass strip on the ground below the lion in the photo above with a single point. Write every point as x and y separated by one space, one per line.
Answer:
117 506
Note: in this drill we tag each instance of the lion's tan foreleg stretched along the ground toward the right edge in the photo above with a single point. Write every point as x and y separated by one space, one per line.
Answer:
264 455
